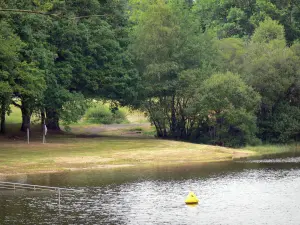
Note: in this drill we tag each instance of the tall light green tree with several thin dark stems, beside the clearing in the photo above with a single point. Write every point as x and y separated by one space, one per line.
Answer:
170 51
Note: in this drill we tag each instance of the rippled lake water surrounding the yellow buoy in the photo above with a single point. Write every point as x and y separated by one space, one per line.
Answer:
252 192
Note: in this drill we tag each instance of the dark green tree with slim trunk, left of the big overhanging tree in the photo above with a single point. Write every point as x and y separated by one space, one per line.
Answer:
35 56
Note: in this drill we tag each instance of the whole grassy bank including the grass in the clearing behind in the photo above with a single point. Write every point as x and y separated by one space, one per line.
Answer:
93 146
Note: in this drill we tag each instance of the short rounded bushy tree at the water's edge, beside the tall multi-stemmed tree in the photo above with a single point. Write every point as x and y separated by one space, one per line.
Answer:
229 107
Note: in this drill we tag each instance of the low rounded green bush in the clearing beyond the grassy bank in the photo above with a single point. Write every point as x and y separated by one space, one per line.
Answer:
103 115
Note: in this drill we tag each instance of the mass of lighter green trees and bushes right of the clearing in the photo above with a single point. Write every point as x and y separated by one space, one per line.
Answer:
222 72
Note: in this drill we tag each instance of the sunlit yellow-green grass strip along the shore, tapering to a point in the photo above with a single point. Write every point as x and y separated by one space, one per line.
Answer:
70 152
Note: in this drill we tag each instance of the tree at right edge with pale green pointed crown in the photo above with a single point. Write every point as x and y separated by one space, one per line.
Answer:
272 69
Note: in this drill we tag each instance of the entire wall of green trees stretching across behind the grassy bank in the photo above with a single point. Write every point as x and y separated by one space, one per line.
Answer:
223 72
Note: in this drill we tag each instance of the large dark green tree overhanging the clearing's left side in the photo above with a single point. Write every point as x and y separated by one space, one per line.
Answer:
91 60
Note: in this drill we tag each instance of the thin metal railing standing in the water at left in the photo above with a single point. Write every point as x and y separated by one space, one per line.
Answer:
15 186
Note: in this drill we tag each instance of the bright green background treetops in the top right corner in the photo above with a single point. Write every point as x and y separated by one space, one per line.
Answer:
239 19
